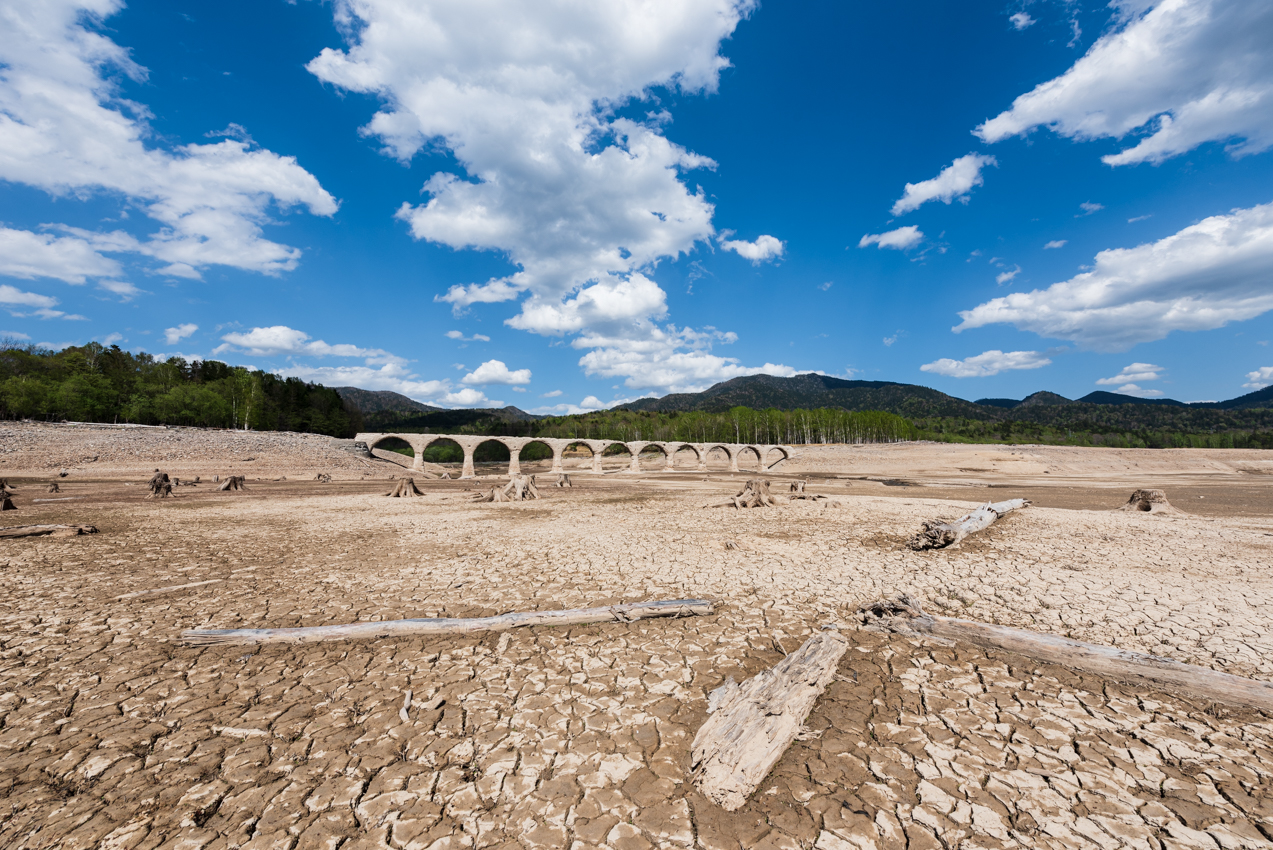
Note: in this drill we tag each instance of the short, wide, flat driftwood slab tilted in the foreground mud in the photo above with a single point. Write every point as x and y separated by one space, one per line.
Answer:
752 725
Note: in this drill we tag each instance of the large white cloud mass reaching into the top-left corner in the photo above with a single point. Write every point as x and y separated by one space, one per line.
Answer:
64 129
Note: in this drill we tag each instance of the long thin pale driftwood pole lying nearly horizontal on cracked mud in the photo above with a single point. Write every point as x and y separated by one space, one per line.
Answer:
626 613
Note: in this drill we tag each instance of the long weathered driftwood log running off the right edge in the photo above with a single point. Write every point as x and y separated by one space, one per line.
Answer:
903 615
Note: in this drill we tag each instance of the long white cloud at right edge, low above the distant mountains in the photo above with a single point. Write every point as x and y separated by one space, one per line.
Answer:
1202 278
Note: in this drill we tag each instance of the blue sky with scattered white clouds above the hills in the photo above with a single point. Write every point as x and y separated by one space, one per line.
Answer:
562 206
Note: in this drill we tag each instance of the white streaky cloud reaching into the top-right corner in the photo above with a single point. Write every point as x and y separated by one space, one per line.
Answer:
1172 74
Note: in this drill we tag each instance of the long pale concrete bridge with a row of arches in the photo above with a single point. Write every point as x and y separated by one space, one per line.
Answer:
757 456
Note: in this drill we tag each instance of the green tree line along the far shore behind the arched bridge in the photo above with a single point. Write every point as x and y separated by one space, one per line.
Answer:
100 384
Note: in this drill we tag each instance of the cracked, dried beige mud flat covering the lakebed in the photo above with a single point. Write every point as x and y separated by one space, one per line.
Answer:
114 735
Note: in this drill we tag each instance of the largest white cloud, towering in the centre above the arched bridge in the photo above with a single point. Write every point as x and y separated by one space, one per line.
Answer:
584 203
